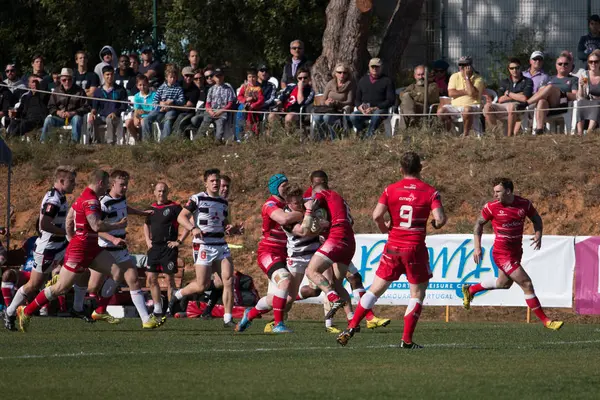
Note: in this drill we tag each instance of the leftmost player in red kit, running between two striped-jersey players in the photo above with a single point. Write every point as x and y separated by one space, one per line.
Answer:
82 226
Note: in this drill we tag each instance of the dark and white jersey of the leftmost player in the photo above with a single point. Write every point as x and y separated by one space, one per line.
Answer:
54 205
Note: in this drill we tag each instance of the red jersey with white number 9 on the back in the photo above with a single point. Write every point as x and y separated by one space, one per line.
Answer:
409 201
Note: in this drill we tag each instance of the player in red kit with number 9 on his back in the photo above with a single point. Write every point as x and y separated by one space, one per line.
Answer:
409 203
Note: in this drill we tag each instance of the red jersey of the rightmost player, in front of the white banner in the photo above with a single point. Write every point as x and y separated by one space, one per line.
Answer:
508 223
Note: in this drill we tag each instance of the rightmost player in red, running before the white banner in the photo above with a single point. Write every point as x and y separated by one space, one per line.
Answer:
508 213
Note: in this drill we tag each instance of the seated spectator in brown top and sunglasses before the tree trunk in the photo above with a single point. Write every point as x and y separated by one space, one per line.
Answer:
339 96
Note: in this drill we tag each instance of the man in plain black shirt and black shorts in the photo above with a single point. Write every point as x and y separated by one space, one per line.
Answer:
161 232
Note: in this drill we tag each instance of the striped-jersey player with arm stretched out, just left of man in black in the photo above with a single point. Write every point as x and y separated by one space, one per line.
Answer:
114 208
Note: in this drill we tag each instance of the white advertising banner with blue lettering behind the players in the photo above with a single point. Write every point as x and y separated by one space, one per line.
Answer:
451 261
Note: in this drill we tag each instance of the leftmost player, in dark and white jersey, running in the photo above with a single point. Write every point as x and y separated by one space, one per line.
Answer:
50 246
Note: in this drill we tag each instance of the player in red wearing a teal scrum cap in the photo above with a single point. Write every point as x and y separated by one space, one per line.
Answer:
272 256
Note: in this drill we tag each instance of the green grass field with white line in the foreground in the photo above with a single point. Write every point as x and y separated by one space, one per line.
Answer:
64 359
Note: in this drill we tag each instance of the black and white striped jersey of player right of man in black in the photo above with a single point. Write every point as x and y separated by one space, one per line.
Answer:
210 216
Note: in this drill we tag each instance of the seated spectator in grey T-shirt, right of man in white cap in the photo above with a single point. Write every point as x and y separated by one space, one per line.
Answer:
560 89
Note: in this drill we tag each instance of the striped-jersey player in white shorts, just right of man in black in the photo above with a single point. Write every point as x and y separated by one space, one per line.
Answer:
211 253
